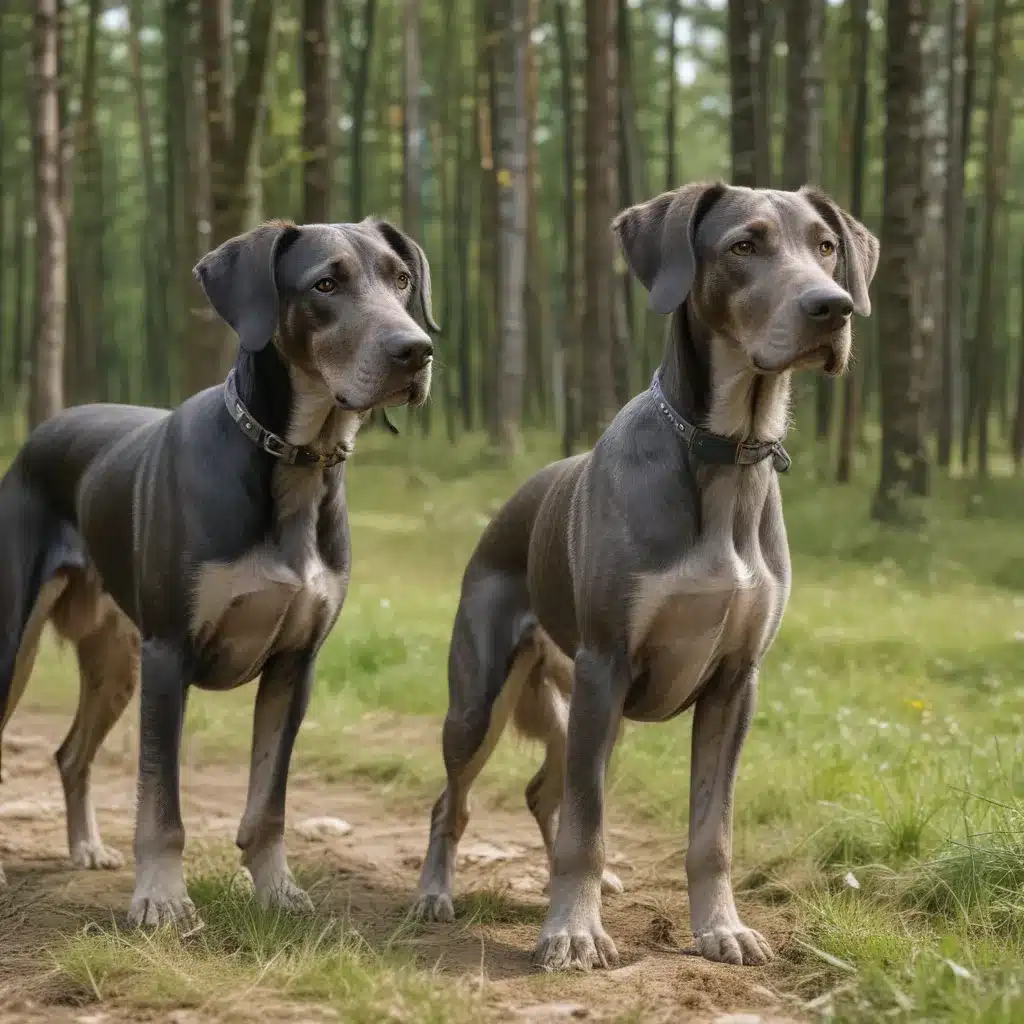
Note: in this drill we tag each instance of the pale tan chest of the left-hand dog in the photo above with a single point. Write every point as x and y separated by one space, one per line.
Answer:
280 596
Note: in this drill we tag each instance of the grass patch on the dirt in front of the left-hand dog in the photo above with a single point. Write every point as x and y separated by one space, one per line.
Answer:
267 958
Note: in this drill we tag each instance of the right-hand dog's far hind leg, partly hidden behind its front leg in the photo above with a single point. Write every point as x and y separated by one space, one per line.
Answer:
543 713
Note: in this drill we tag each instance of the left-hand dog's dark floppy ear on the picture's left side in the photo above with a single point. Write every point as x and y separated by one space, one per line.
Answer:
239 281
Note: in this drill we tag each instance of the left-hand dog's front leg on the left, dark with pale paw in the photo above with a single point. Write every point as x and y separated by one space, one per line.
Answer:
160 897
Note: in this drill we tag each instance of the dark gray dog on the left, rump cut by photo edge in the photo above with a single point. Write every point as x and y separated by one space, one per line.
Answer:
209 545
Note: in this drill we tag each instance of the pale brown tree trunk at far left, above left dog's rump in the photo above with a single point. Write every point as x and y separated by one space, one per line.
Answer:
52 238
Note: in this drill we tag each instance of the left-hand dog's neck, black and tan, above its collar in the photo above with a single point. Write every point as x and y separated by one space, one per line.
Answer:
291 403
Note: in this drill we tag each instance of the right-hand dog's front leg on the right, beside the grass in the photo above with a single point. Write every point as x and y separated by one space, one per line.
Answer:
721 719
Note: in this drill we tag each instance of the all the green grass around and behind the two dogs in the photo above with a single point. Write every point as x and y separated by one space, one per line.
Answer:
887 748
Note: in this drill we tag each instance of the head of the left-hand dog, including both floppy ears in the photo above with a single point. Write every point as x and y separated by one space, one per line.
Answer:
348 305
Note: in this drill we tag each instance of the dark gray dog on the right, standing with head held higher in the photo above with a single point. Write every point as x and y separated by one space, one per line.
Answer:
659 562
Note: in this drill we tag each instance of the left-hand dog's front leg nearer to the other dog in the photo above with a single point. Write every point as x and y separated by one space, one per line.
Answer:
281 706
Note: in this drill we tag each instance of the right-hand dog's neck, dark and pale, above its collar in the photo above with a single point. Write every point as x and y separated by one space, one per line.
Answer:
711 383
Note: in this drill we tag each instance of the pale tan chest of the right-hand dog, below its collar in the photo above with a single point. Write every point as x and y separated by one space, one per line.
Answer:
722 602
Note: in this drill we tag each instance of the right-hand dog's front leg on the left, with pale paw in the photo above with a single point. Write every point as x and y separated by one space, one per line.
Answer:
573 935
